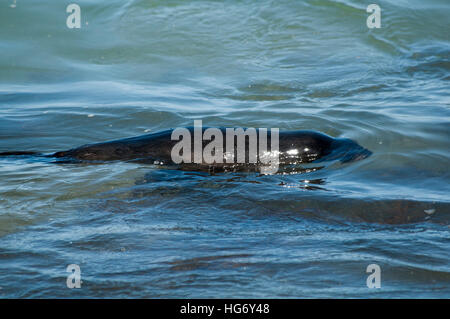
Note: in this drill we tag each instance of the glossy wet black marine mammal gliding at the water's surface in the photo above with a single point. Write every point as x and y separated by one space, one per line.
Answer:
294 148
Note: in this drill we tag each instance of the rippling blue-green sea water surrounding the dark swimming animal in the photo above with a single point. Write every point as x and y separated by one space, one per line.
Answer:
136 67
